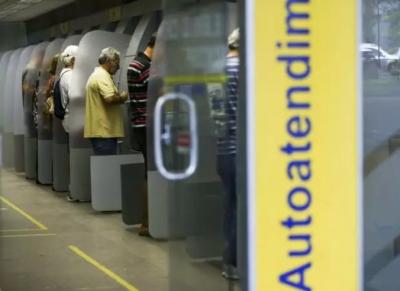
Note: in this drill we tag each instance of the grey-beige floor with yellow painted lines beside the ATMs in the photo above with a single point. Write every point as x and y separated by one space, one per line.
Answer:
47 243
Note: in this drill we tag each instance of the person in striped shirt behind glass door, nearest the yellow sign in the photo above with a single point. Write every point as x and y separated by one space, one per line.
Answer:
224 109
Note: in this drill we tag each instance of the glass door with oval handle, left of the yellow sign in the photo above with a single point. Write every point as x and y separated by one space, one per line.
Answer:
189 59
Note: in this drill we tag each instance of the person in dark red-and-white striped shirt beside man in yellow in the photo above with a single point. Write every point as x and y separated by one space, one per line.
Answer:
138 78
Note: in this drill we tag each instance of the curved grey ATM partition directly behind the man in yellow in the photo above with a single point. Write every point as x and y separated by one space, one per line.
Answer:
90 47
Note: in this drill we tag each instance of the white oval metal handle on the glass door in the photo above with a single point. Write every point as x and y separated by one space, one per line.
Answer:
159 137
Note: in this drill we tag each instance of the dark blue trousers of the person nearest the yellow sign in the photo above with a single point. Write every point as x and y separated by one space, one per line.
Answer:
226 168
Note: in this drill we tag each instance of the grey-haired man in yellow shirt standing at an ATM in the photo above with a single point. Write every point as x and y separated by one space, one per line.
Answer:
103 112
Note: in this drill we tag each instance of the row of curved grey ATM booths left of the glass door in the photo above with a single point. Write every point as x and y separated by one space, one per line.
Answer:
40 147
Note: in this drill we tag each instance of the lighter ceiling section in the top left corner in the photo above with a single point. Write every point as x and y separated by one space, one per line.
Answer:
22 10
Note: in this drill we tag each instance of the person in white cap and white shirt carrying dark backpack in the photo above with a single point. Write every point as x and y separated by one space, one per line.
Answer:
68 58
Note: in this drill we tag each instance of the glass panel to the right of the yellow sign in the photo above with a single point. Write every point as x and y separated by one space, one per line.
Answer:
381 101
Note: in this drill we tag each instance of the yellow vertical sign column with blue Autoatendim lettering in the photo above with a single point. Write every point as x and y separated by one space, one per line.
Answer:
305 146
